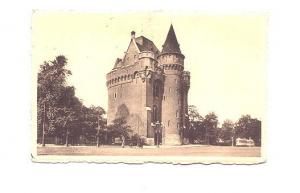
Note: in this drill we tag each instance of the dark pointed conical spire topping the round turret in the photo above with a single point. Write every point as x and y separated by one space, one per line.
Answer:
171 44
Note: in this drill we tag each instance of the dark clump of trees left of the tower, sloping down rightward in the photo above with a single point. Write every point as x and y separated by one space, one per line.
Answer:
60 112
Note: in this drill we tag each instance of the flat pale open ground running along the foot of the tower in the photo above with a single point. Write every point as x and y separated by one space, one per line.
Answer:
189 150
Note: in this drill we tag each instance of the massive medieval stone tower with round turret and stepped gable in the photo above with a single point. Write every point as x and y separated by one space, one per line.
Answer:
149 88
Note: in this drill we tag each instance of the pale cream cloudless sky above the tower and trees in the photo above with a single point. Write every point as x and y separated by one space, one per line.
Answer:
226 54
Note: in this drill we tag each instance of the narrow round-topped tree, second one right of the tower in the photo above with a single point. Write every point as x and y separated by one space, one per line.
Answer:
210 123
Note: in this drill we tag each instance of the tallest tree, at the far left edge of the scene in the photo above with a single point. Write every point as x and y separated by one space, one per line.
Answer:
51 83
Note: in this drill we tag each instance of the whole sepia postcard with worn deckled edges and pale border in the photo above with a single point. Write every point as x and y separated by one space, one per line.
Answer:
142 87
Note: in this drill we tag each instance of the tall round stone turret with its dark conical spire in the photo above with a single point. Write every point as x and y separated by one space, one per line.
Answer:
173 105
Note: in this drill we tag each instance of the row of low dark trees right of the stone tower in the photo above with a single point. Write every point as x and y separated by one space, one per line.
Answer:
205 130
